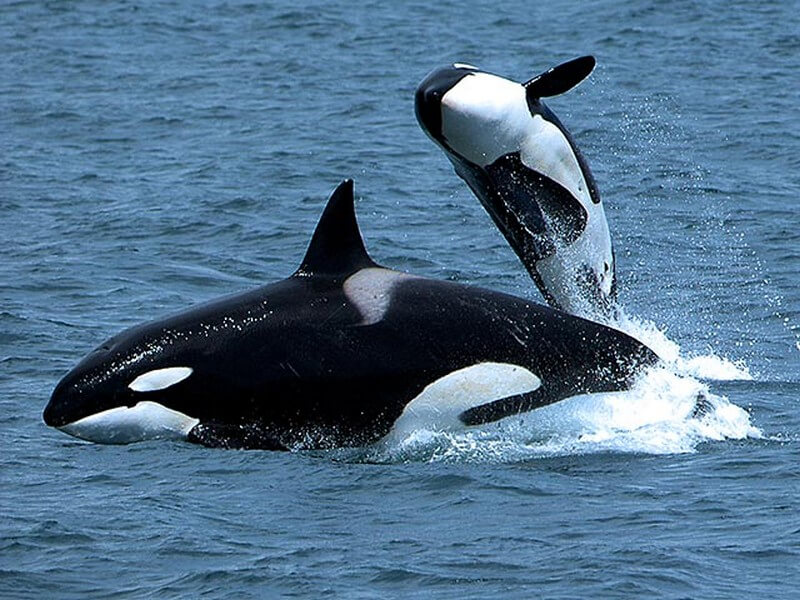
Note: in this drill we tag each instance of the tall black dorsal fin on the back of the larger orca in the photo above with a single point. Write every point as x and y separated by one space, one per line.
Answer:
336 246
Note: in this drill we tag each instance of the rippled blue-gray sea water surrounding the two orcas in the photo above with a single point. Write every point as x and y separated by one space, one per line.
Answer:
161 154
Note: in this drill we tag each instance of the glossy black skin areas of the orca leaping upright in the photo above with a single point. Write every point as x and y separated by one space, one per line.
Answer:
515 196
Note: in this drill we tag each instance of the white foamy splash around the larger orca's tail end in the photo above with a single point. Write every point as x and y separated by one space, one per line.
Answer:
659 415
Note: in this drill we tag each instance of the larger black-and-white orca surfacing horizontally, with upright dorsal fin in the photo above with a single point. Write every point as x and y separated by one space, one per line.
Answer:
336 355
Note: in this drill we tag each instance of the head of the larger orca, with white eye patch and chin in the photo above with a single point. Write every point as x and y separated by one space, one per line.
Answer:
133 387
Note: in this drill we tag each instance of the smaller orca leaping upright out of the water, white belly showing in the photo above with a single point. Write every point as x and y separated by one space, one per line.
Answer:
525 168
